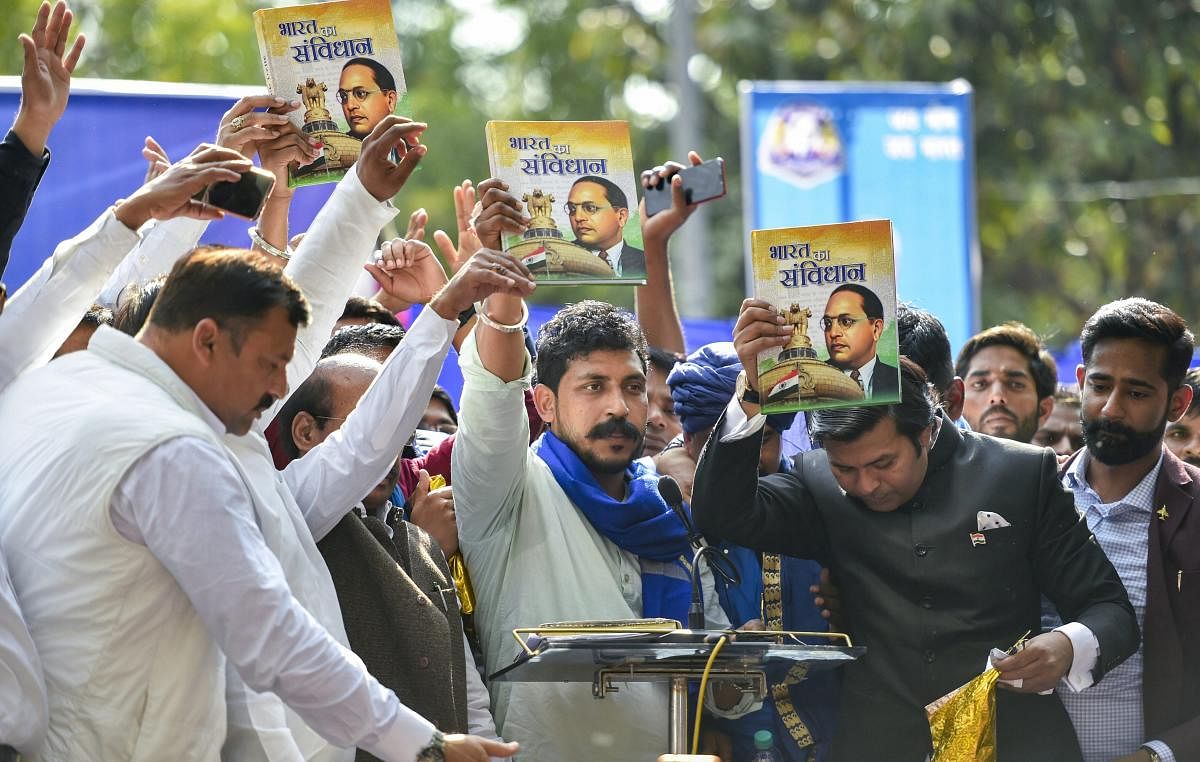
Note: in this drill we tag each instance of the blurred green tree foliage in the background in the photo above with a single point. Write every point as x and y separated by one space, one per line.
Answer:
1088 115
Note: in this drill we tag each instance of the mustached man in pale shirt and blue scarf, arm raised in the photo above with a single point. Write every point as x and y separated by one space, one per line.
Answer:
571 527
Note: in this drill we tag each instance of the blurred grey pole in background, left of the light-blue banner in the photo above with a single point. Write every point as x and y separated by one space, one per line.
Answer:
689 245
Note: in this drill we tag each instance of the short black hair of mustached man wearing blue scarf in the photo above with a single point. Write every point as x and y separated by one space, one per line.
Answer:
581 329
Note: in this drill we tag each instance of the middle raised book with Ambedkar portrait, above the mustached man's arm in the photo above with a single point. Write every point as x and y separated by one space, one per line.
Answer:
578 184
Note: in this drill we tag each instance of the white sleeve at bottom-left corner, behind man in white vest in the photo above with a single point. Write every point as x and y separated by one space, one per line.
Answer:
23 711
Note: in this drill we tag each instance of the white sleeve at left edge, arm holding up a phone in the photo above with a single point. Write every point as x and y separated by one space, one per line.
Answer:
44 313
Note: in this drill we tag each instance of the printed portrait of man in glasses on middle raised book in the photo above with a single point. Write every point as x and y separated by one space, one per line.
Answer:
599 211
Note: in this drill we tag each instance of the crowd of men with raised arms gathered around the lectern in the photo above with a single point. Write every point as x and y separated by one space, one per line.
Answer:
239 520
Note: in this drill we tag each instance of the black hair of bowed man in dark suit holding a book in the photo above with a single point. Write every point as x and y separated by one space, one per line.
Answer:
915 412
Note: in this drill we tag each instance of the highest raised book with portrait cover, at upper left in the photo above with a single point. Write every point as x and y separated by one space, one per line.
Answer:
341 61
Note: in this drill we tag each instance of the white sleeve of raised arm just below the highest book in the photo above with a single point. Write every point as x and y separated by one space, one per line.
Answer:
327 267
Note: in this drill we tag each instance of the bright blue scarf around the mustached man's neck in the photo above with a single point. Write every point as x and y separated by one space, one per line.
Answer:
643 524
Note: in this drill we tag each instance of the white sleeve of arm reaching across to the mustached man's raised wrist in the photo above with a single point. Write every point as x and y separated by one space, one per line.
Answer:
344 469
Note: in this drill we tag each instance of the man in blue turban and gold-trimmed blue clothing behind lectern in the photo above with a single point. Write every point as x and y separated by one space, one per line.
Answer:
776 590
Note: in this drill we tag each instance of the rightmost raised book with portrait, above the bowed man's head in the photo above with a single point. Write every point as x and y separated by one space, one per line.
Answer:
836 286
